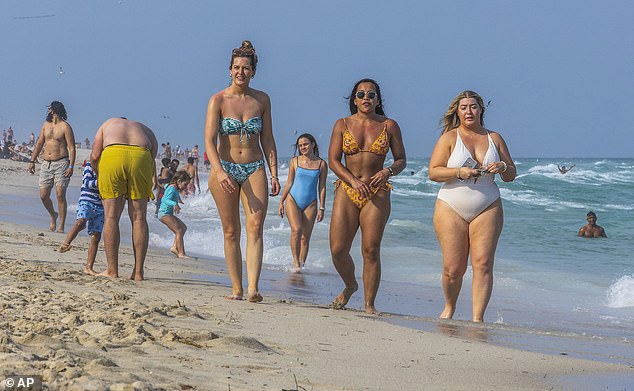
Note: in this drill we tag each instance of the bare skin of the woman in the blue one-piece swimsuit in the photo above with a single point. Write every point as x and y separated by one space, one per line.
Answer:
302 222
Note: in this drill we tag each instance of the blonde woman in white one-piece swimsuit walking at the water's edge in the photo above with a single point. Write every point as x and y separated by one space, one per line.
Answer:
468 216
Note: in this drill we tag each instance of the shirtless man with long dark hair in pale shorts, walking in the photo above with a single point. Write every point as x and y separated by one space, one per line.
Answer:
58 140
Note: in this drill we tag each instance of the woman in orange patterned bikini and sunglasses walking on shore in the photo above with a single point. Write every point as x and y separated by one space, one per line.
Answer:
362 192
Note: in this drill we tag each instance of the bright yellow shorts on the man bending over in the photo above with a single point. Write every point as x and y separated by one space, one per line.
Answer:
125 170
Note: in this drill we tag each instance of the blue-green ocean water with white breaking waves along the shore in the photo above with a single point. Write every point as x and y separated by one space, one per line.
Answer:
546 279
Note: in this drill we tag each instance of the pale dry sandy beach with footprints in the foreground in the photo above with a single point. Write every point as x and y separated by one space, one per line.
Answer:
175 331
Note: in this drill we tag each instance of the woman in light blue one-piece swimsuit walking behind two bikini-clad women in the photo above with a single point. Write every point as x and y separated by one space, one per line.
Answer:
306 179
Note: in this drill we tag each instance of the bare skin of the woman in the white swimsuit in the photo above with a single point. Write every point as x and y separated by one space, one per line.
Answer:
458 238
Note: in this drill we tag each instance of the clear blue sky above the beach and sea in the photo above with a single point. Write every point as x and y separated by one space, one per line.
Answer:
559 73
